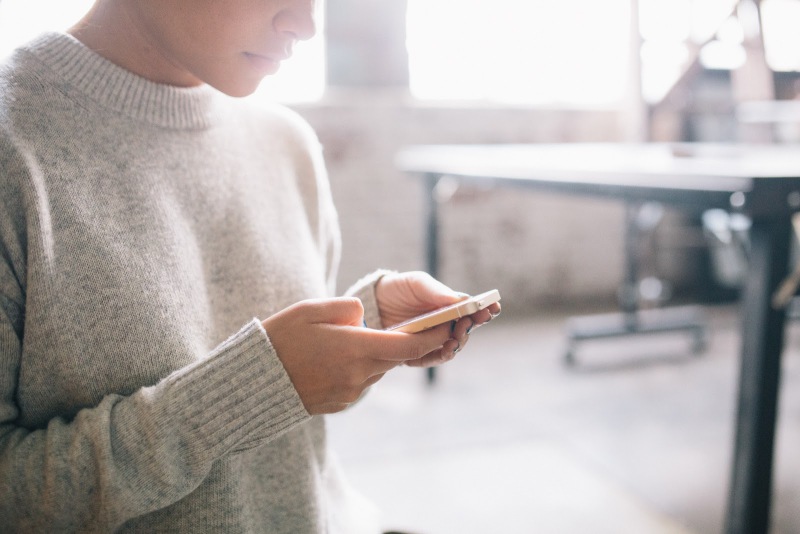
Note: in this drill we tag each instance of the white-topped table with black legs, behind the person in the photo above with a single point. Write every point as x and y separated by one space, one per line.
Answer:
760 181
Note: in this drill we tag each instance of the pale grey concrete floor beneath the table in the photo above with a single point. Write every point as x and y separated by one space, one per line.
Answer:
636 439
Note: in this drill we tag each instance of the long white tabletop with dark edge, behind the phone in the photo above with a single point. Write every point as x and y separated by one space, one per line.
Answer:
756 179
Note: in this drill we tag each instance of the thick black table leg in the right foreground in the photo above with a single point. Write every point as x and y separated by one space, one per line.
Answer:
759 379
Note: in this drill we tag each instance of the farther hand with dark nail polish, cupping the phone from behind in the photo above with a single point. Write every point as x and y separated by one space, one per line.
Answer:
402 296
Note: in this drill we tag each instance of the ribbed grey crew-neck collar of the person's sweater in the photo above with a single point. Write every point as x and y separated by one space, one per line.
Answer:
121 90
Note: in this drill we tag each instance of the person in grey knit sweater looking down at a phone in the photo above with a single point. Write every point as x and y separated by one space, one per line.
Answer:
170 338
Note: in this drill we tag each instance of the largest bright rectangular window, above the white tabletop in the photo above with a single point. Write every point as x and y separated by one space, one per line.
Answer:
532 52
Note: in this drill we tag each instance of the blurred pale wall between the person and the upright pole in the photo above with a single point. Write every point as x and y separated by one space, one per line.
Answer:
542 251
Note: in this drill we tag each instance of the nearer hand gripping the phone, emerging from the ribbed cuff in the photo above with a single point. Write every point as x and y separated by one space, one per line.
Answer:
332 358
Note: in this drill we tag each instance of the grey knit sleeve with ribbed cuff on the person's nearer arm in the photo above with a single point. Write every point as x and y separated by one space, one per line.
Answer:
132 455
